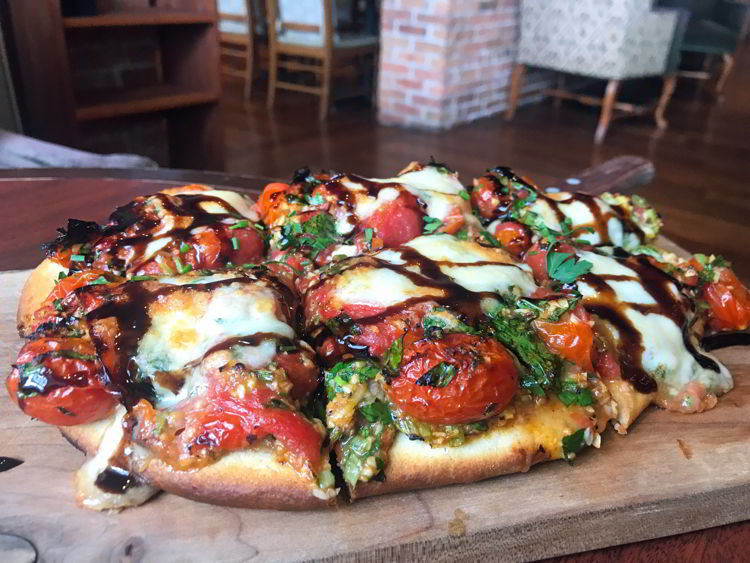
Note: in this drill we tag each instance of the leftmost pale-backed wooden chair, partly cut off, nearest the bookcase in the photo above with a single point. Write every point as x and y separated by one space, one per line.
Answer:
243 35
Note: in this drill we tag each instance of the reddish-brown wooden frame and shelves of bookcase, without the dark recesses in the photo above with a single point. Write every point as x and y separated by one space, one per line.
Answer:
185 94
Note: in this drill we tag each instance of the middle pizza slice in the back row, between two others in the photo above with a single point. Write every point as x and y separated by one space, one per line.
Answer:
317 218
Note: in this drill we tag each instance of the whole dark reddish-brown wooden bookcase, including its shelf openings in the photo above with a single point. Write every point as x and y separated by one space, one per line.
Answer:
173 97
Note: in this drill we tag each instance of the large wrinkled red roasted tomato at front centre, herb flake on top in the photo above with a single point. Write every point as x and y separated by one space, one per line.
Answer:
460 378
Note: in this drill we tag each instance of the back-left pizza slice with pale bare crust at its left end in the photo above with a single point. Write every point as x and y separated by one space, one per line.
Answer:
172 232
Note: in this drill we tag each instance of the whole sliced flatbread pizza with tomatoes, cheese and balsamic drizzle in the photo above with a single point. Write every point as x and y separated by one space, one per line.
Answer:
349 336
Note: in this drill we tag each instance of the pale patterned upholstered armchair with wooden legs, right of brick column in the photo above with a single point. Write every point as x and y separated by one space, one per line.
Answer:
613 40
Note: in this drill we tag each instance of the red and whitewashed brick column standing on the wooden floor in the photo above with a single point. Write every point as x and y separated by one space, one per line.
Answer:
446 62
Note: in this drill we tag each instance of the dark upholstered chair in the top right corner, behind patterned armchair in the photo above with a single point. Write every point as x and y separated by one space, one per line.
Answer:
714 29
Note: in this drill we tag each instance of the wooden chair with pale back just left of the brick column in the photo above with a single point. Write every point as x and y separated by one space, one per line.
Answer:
304 39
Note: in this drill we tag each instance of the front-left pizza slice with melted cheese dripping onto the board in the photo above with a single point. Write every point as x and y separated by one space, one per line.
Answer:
195 384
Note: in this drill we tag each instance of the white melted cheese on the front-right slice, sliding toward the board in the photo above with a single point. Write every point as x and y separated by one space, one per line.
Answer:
665 356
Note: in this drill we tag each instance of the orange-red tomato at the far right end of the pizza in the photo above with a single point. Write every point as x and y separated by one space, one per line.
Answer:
729 300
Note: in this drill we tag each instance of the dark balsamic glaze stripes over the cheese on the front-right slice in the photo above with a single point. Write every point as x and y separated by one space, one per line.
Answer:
657 284
